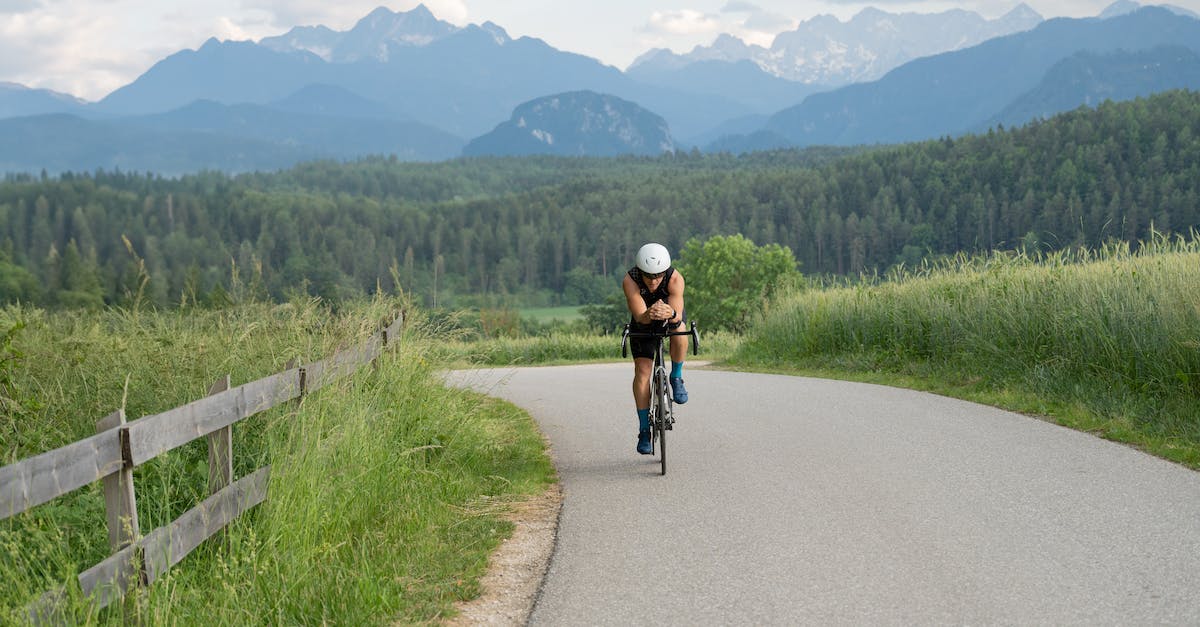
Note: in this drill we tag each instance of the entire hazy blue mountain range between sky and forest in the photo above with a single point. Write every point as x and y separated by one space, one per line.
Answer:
417 87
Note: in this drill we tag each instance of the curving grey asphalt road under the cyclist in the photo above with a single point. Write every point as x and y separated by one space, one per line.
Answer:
793 500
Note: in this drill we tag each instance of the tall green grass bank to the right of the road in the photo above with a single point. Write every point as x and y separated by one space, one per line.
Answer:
1113 332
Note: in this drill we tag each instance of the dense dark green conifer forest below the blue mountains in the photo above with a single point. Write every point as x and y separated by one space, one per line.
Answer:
550 230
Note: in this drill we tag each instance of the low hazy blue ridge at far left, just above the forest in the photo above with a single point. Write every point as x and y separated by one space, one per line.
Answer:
211 136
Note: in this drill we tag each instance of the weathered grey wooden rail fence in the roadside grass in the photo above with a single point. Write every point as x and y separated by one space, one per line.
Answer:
121 446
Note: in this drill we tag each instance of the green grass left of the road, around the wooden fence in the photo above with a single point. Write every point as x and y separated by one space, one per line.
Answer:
387 491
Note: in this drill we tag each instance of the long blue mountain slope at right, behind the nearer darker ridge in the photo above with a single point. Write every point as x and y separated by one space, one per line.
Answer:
957 92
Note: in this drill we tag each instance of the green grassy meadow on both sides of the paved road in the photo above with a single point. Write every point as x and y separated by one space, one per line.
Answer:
388 492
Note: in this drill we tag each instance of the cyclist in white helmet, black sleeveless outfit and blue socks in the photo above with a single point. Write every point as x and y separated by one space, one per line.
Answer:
655 295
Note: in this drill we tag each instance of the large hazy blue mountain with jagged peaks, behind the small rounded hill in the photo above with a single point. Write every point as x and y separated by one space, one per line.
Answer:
464 81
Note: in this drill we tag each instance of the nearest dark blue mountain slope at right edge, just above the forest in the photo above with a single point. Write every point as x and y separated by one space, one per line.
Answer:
1090 79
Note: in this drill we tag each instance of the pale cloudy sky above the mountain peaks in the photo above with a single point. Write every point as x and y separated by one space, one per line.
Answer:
92 47
